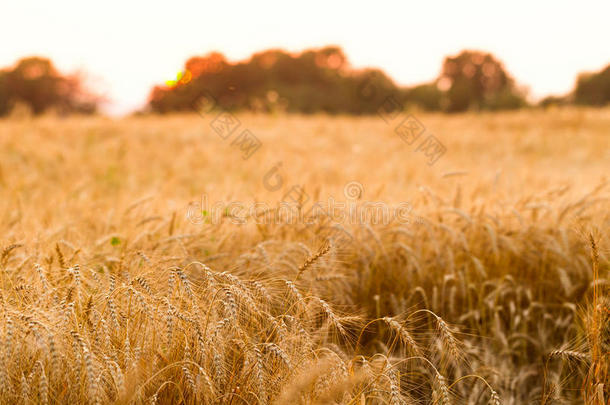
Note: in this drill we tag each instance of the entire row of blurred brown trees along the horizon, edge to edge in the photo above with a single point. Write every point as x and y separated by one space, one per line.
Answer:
314 81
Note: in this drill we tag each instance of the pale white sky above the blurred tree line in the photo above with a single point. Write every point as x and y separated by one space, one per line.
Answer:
125 47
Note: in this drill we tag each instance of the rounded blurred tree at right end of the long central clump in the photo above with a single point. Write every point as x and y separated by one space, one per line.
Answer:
476 80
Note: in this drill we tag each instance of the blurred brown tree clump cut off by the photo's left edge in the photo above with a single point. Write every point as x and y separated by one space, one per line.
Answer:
35 82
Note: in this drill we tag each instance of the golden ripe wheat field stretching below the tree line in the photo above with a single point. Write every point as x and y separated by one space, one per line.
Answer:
494 291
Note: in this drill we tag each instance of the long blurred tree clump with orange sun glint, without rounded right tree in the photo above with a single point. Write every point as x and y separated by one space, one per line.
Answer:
318 80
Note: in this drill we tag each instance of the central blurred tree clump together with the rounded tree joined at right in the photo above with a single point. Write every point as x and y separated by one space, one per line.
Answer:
322 80
